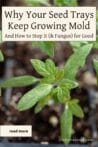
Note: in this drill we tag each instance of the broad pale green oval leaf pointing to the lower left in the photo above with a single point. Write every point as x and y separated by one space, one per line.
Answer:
33 96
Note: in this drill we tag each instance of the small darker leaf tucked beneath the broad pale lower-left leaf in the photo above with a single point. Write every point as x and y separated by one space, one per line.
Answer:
41 104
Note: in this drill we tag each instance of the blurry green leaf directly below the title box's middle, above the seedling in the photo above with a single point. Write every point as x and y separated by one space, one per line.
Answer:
46 47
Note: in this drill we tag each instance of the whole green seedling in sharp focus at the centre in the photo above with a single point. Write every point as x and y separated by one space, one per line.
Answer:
56 83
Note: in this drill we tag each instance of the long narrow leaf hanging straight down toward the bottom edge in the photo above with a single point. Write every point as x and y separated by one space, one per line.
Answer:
66 125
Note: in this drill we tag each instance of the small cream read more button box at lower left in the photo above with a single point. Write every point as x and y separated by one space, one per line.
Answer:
16 131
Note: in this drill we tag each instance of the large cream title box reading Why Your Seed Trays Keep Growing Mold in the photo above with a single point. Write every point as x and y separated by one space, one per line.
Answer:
48 23
